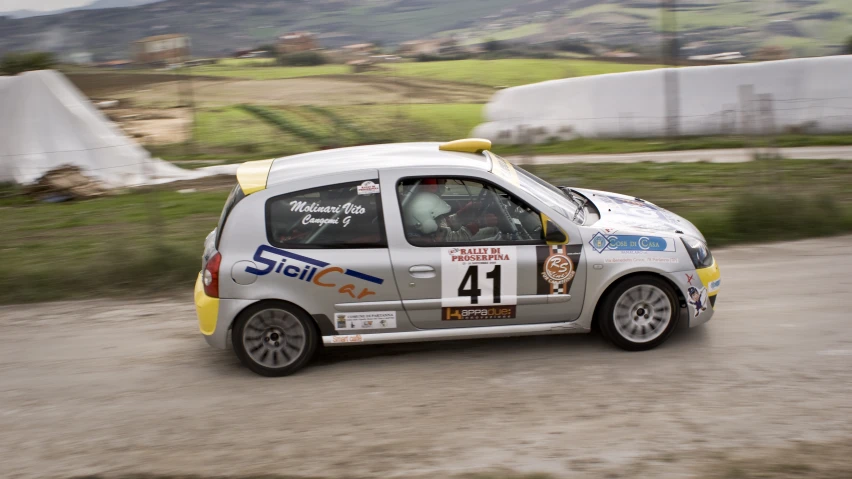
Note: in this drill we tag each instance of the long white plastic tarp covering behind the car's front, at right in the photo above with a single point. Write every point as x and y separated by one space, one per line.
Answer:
802 95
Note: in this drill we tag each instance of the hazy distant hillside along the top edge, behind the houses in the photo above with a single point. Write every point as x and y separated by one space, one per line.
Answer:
218 27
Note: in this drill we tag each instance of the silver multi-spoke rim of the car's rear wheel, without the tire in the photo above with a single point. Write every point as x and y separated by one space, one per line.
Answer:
274 338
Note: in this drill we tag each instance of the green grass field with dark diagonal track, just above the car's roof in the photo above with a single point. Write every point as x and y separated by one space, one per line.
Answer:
240 133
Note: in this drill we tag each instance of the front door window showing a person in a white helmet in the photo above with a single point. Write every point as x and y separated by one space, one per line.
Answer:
445 211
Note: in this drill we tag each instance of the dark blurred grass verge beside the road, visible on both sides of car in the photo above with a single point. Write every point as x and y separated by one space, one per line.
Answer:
142 243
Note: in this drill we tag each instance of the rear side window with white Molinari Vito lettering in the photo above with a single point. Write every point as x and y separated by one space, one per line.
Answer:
338 216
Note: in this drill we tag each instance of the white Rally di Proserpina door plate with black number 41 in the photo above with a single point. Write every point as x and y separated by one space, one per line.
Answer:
479 276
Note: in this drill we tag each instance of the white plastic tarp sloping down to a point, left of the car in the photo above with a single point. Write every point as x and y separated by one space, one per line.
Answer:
45 123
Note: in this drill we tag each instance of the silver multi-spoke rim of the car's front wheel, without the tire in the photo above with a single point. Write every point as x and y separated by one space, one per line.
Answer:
642 313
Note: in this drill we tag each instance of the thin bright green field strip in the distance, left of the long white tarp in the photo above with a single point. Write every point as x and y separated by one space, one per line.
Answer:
510 72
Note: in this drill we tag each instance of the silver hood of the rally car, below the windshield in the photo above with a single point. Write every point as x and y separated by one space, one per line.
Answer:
627 213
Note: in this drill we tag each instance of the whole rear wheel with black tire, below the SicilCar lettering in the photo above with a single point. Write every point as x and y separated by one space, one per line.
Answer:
269 327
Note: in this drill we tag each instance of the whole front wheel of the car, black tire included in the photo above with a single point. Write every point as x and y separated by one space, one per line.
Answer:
629 330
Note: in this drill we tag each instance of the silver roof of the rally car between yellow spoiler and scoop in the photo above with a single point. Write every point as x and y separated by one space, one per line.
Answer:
395 155
